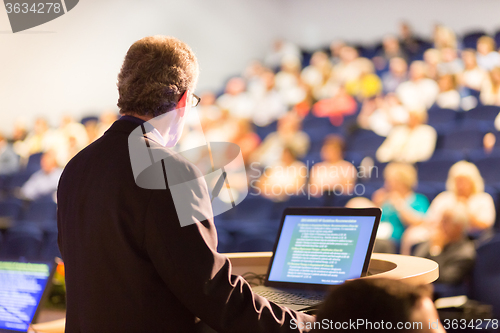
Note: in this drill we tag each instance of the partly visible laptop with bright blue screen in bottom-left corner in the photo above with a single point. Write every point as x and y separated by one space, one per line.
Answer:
23 288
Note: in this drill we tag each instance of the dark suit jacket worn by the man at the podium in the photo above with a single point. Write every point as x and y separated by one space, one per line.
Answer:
131 267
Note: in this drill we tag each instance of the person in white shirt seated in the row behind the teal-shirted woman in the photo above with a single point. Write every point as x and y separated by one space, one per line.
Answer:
410 143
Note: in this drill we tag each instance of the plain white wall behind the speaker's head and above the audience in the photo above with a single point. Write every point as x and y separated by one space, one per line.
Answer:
70 65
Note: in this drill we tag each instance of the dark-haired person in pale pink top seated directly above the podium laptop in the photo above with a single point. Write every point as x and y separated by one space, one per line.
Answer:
334 174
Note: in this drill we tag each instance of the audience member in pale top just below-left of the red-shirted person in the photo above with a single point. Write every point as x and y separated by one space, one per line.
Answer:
288 134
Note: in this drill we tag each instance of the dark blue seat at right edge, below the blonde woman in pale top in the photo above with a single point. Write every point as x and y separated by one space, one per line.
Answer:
486 275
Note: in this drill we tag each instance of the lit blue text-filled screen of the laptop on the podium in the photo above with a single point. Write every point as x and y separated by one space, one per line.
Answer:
319 249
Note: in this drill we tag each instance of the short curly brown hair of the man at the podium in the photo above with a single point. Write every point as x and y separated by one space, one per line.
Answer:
156 71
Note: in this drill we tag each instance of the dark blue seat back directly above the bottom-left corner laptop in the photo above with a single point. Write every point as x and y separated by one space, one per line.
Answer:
23 240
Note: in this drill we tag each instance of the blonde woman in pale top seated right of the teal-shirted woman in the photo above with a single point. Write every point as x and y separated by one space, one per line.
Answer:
464 187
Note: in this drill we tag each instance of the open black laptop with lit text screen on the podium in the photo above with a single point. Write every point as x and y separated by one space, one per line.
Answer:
316 249
